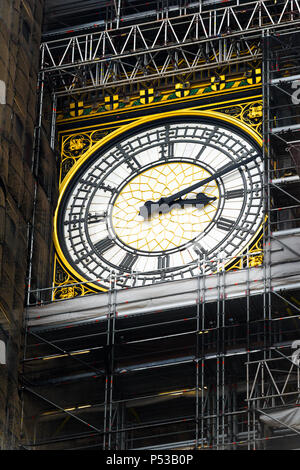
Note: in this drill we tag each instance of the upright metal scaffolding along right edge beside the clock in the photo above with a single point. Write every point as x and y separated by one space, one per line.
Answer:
273 387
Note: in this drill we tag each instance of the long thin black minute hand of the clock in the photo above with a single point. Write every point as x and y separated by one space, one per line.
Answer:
223 171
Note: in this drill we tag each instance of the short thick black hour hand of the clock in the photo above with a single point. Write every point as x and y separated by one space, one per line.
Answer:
161 207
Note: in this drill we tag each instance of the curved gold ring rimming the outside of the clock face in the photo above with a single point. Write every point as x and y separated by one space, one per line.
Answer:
212 114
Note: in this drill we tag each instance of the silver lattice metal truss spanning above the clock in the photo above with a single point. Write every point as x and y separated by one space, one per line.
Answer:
170 46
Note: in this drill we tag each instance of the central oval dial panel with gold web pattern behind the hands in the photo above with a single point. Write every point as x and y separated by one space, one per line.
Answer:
170 230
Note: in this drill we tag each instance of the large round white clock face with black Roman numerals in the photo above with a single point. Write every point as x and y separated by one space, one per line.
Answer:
99 228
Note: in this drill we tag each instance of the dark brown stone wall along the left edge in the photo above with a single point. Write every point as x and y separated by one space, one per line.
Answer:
20 36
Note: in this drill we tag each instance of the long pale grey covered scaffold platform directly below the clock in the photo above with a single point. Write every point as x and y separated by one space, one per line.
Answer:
284 273
